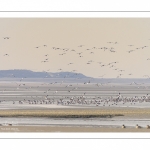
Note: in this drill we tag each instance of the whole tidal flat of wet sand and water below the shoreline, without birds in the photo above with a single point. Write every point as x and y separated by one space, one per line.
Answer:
74 117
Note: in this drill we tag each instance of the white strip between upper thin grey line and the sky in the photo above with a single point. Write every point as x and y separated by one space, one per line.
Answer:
74 14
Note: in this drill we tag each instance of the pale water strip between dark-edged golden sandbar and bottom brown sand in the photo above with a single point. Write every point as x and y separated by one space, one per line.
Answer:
115 121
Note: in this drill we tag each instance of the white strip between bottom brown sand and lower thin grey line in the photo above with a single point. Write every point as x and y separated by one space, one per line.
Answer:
77 135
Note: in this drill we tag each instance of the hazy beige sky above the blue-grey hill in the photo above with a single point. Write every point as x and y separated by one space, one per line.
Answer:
68 34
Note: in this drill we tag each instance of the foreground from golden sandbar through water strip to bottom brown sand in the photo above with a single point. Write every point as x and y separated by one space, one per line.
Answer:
75 120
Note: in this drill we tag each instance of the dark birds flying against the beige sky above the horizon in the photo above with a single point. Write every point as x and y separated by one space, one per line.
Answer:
111 65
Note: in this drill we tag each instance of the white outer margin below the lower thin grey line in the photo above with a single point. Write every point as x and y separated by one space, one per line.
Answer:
92 144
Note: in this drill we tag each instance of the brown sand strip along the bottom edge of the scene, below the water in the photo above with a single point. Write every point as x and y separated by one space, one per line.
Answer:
67 129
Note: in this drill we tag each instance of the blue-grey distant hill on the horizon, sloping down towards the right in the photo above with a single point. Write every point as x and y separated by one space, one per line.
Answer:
31 74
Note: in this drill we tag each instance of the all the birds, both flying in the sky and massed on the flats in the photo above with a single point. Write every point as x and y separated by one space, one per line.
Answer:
81 99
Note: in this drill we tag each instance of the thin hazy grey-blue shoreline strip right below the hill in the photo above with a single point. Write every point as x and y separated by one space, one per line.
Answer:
99 82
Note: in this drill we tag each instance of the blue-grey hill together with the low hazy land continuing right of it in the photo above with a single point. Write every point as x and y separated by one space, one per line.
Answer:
70 76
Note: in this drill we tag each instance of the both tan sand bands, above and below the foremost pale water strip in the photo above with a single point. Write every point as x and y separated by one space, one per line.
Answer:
75 113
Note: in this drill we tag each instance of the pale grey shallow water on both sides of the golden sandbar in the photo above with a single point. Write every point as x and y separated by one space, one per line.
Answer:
10 92
